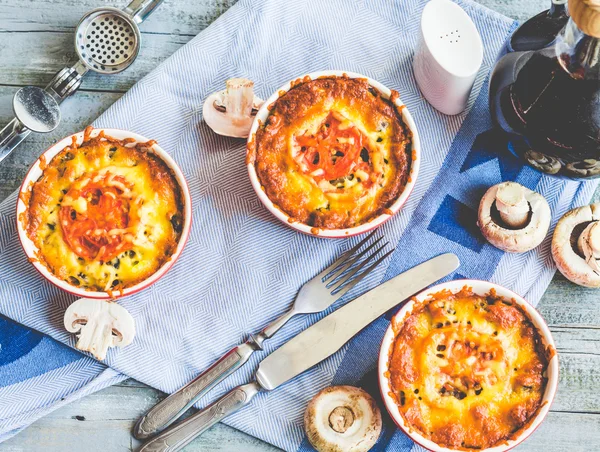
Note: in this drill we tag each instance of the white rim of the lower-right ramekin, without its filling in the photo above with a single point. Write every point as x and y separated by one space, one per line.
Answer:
479 287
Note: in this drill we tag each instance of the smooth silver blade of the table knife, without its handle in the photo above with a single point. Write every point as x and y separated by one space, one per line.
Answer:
330 334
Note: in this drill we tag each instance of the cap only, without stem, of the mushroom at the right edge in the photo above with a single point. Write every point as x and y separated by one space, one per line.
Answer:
568 261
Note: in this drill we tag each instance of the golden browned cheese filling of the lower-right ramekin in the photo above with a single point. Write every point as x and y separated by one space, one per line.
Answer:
467 371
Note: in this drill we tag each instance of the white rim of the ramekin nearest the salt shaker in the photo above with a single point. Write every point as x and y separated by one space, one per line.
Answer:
262 115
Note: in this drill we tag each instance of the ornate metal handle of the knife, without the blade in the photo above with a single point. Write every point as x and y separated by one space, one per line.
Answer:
181 434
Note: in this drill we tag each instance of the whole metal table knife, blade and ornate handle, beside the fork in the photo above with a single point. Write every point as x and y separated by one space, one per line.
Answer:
308 348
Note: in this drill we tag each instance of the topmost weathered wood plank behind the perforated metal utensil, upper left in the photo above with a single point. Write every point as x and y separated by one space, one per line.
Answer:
173 17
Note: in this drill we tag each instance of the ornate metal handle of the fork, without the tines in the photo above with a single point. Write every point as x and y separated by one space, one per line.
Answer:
170 409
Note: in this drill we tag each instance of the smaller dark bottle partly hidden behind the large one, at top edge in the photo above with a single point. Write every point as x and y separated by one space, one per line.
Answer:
542 29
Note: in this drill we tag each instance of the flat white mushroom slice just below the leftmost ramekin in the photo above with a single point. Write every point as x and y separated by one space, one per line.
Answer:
101 324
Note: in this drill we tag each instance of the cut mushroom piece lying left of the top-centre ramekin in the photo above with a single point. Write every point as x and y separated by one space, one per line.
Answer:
231 112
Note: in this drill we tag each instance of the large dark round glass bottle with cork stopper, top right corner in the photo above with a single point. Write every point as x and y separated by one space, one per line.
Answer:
548 101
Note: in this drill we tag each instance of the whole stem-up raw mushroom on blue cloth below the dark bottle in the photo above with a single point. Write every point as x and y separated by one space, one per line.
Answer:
523 217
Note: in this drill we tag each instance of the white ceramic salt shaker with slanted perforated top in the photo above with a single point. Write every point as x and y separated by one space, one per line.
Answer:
448 56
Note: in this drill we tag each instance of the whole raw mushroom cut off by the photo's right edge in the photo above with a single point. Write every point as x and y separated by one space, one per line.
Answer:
576 245
